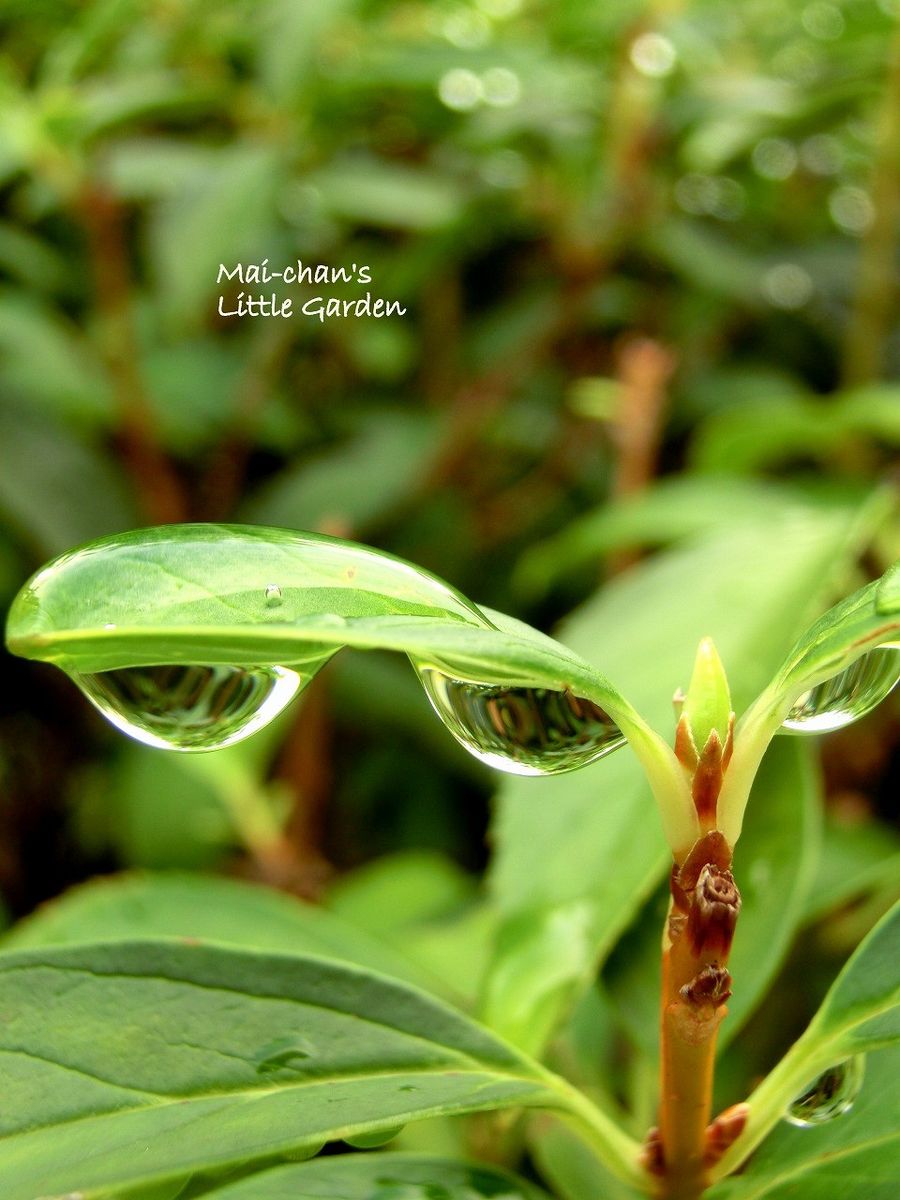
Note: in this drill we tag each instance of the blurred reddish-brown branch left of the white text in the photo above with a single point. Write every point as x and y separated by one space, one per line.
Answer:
160 494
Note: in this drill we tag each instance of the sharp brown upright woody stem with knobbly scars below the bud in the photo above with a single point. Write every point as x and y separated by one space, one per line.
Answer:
695 987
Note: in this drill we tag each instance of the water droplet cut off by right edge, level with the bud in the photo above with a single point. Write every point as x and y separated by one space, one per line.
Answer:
847 697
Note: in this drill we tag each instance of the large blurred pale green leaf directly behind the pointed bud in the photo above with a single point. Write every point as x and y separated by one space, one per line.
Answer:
592 839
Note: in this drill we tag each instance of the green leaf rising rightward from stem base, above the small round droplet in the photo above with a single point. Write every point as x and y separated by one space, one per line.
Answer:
861 1013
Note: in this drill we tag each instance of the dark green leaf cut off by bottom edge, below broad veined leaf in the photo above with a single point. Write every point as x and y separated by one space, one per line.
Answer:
370 1177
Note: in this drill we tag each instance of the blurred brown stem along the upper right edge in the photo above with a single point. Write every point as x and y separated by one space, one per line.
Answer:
873 314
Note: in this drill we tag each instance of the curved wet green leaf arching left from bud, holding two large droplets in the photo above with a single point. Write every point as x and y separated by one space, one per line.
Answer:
197 595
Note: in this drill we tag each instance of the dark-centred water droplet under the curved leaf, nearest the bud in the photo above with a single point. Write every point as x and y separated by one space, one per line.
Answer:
527 731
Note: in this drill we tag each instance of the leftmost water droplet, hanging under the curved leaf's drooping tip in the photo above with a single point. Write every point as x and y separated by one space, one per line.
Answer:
190 707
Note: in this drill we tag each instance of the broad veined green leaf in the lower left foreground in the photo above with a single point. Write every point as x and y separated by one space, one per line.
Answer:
139 1063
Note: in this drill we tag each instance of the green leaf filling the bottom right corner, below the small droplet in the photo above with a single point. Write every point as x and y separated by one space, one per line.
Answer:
854 1156
